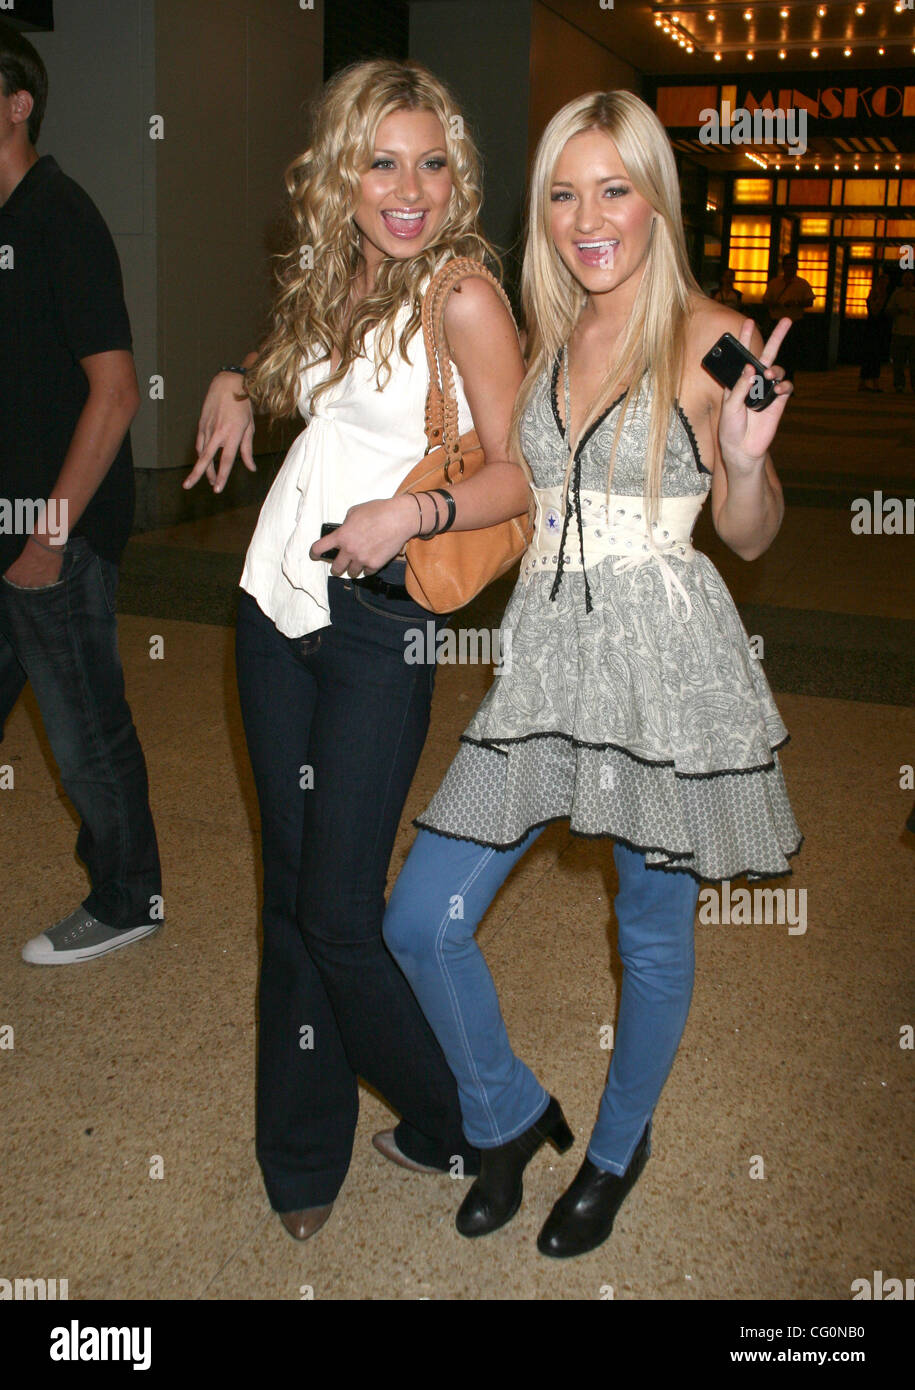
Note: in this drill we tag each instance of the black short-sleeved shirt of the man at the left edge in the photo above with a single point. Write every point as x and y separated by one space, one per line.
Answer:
62 301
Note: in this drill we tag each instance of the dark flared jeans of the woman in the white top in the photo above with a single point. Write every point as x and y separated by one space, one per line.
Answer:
336 725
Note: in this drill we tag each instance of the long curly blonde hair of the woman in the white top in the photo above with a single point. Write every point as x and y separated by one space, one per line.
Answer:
312 304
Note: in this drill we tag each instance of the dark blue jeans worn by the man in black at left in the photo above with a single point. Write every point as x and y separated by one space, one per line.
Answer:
63 639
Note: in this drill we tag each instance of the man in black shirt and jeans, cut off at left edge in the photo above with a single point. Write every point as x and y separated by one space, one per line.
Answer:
67 397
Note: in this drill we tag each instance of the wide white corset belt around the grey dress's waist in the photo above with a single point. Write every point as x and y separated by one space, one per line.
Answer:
620 529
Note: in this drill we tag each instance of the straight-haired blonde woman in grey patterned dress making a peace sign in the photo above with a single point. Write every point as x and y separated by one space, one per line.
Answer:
632 707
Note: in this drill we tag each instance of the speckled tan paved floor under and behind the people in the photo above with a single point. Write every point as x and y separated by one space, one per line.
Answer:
792 1050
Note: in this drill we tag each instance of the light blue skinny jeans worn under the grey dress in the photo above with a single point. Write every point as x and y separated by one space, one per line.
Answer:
436 907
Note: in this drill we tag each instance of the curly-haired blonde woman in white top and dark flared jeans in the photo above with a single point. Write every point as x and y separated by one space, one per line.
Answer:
334 715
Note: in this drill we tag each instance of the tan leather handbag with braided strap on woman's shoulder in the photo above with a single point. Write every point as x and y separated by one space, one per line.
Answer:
447 572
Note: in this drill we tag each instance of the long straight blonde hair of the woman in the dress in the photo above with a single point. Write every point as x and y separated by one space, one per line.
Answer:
553 300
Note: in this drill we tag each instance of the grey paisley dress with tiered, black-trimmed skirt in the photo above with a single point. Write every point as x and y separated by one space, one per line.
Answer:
615 711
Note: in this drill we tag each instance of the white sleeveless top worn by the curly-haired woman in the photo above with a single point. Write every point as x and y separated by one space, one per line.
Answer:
359 445
